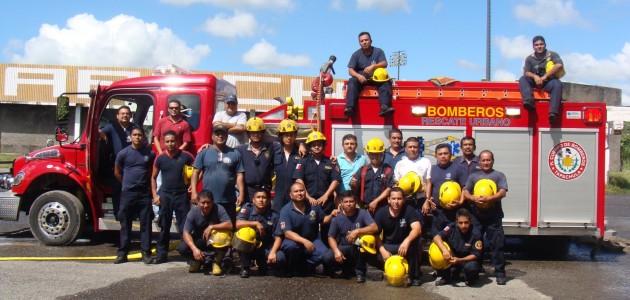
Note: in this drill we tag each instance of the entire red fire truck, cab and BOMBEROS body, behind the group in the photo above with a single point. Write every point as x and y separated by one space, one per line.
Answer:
555 173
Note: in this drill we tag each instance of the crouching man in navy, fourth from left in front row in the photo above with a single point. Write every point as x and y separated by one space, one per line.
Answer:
345 228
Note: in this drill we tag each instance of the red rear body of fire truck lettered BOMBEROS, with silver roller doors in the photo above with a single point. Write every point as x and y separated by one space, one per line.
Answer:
555 173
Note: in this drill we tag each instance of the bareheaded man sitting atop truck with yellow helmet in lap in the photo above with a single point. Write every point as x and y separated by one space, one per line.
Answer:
361 67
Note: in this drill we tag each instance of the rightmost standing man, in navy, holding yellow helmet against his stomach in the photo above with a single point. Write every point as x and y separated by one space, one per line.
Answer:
484 191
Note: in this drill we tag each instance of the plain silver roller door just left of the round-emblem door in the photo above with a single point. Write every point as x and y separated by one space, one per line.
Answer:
512 156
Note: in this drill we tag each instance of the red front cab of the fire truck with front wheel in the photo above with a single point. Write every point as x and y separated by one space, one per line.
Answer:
66 188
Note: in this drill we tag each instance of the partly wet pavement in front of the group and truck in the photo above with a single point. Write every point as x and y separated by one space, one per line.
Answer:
560 268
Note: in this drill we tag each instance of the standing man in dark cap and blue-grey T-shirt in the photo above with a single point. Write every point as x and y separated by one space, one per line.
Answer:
222 168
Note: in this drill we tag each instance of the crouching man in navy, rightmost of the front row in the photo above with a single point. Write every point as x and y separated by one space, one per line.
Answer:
465 247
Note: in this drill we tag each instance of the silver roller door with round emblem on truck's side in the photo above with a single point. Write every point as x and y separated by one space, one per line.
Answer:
568 178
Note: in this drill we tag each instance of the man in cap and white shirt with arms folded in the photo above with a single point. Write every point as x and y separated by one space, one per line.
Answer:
233 120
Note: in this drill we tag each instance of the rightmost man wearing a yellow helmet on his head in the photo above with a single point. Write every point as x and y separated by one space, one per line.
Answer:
374 181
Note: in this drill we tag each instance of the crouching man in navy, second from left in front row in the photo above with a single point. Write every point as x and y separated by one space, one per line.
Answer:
259 216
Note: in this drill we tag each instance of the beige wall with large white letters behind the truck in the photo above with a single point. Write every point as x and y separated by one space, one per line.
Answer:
41 84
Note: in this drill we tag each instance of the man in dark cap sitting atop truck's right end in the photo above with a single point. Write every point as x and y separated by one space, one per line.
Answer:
536 73
